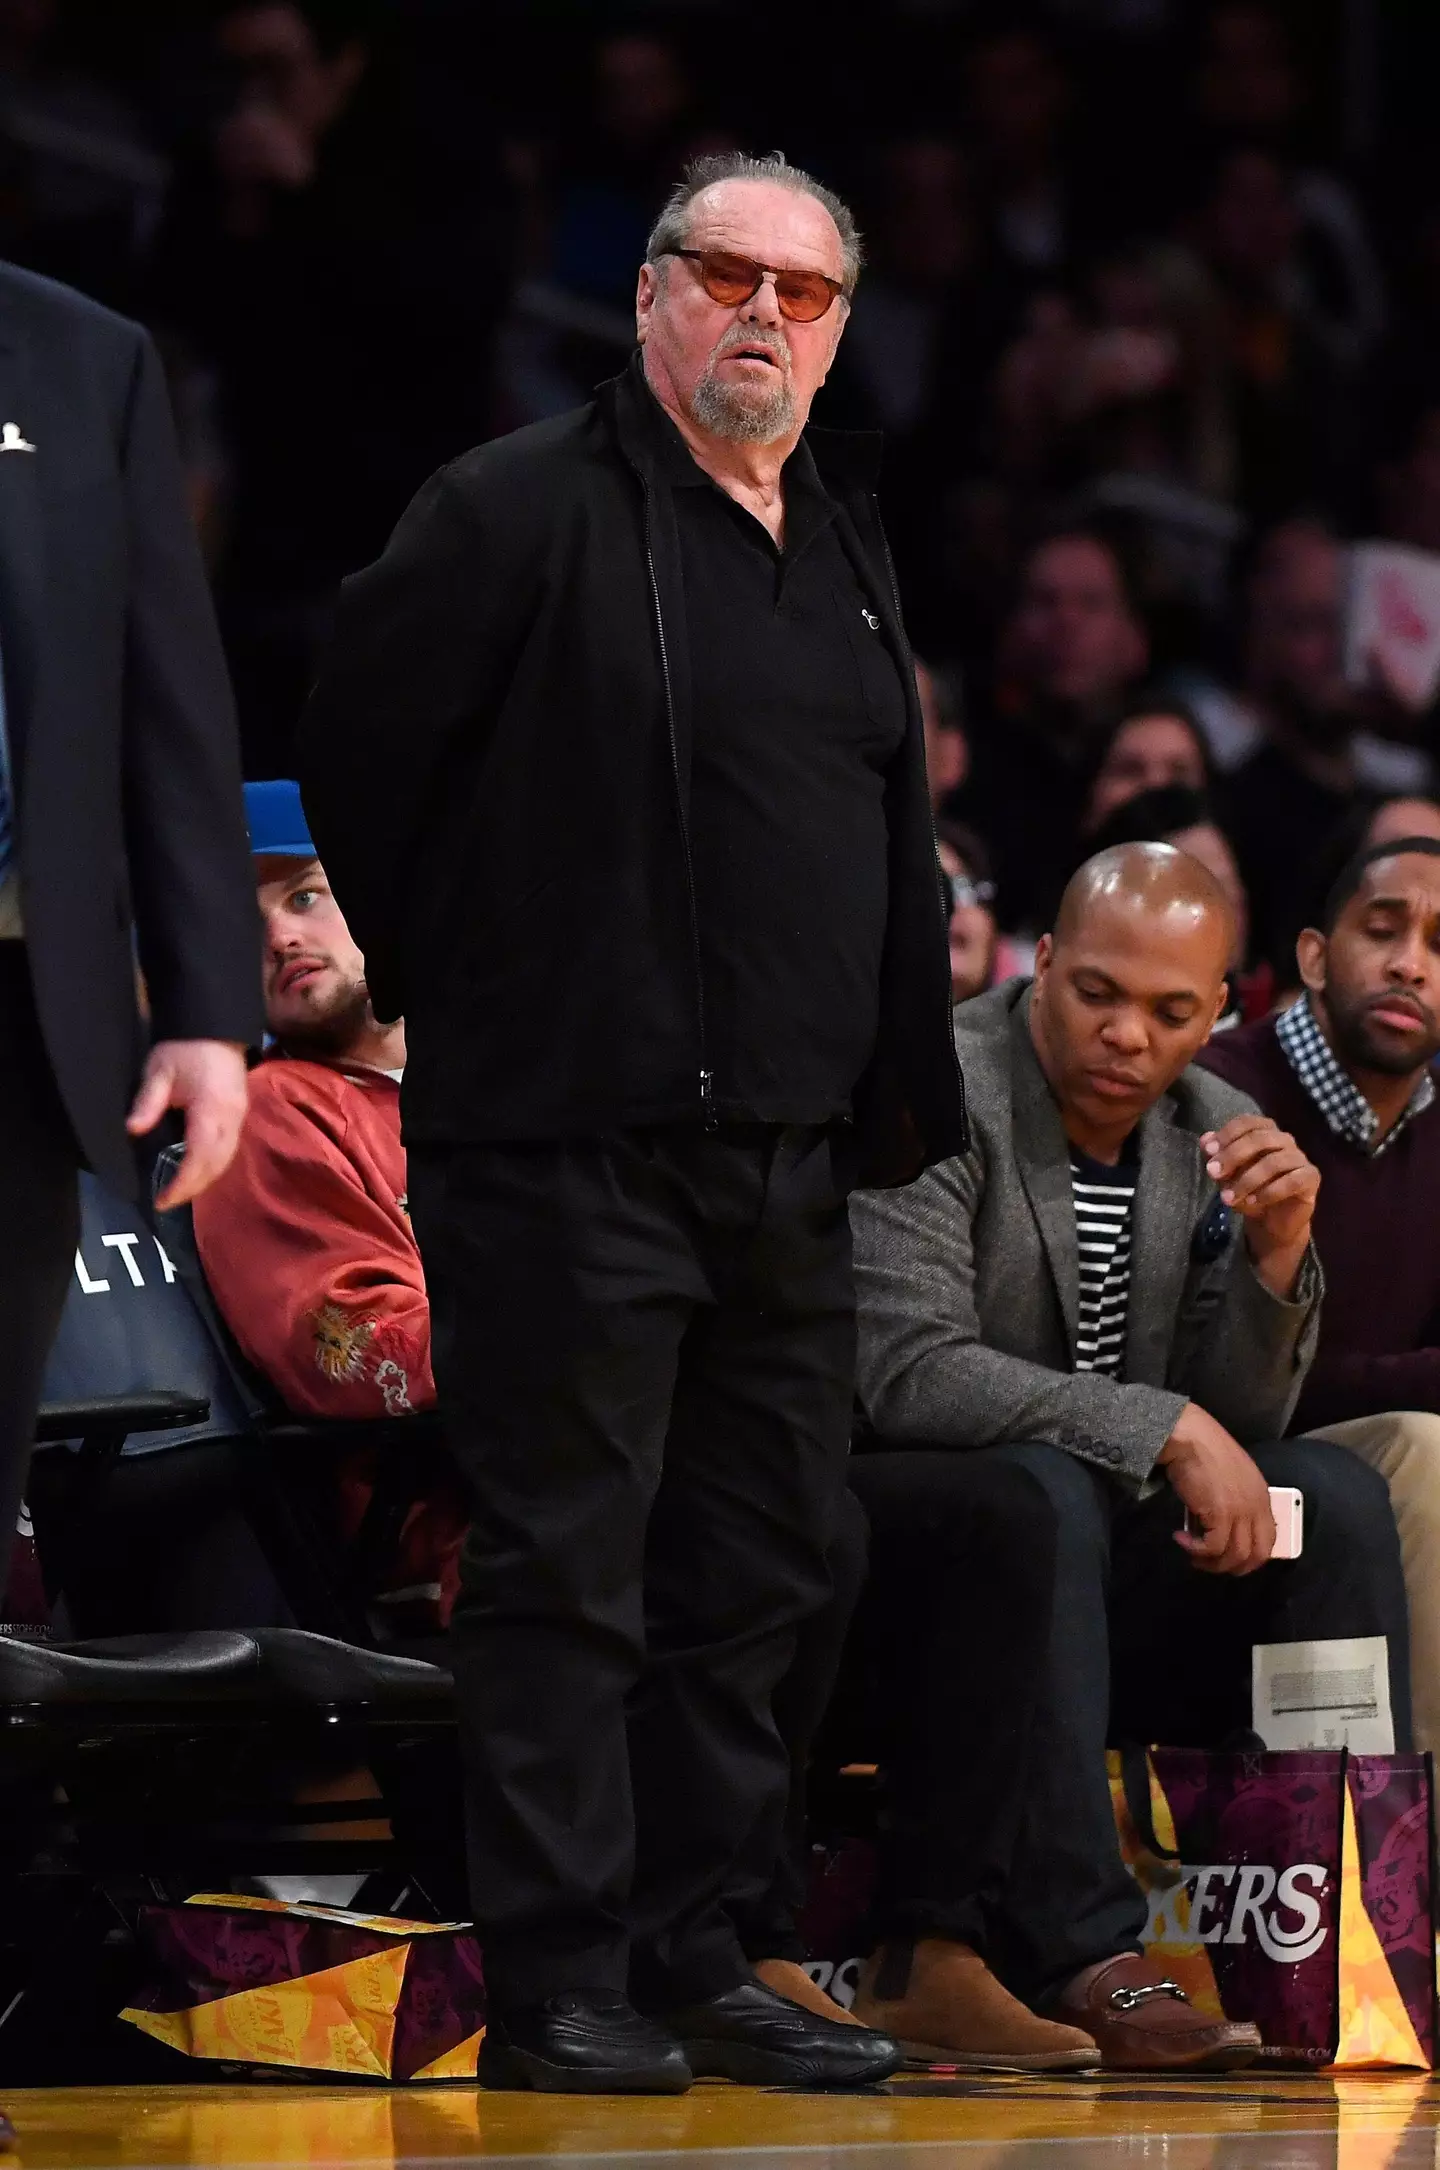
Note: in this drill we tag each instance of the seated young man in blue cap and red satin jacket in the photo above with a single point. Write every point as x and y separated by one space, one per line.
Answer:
307 1242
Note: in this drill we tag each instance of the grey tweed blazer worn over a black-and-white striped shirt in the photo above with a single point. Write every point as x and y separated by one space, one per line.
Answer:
970 1279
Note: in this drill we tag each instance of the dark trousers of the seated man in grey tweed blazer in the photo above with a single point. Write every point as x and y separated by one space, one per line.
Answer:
1023 1613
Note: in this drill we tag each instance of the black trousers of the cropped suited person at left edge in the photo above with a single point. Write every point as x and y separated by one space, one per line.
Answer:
40 1227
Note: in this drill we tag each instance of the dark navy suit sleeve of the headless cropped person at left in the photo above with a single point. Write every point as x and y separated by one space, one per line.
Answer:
185 826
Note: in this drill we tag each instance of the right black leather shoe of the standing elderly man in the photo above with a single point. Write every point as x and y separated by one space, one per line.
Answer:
764 2041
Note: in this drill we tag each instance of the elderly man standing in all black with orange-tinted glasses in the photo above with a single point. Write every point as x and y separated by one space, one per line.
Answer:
632 704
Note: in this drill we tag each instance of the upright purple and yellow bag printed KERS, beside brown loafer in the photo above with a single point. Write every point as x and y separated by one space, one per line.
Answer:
1291 1889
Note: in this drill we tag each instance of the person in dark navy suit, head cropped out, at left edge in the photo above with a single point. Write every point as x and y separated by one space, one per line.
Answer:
123 832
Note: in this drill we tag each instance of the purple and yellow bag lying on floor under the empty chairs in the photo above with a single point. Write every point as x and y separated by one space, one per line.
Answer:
313 1989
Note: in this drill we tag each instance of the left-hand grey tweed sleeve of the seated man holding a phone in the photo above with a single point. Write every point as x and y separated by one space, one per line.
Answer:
925 1375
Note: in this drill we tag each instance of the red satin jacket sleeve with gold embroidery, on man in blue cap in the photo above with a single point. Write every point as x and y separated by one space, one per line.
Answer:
316 1279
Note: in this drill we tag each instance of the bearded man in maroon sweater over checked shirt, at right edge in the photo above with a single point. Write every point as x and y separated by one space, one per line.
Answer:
1348 1071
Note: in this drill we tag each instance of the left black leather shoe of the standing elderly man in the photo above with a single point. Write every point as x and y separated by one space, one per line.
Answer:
582 2043
